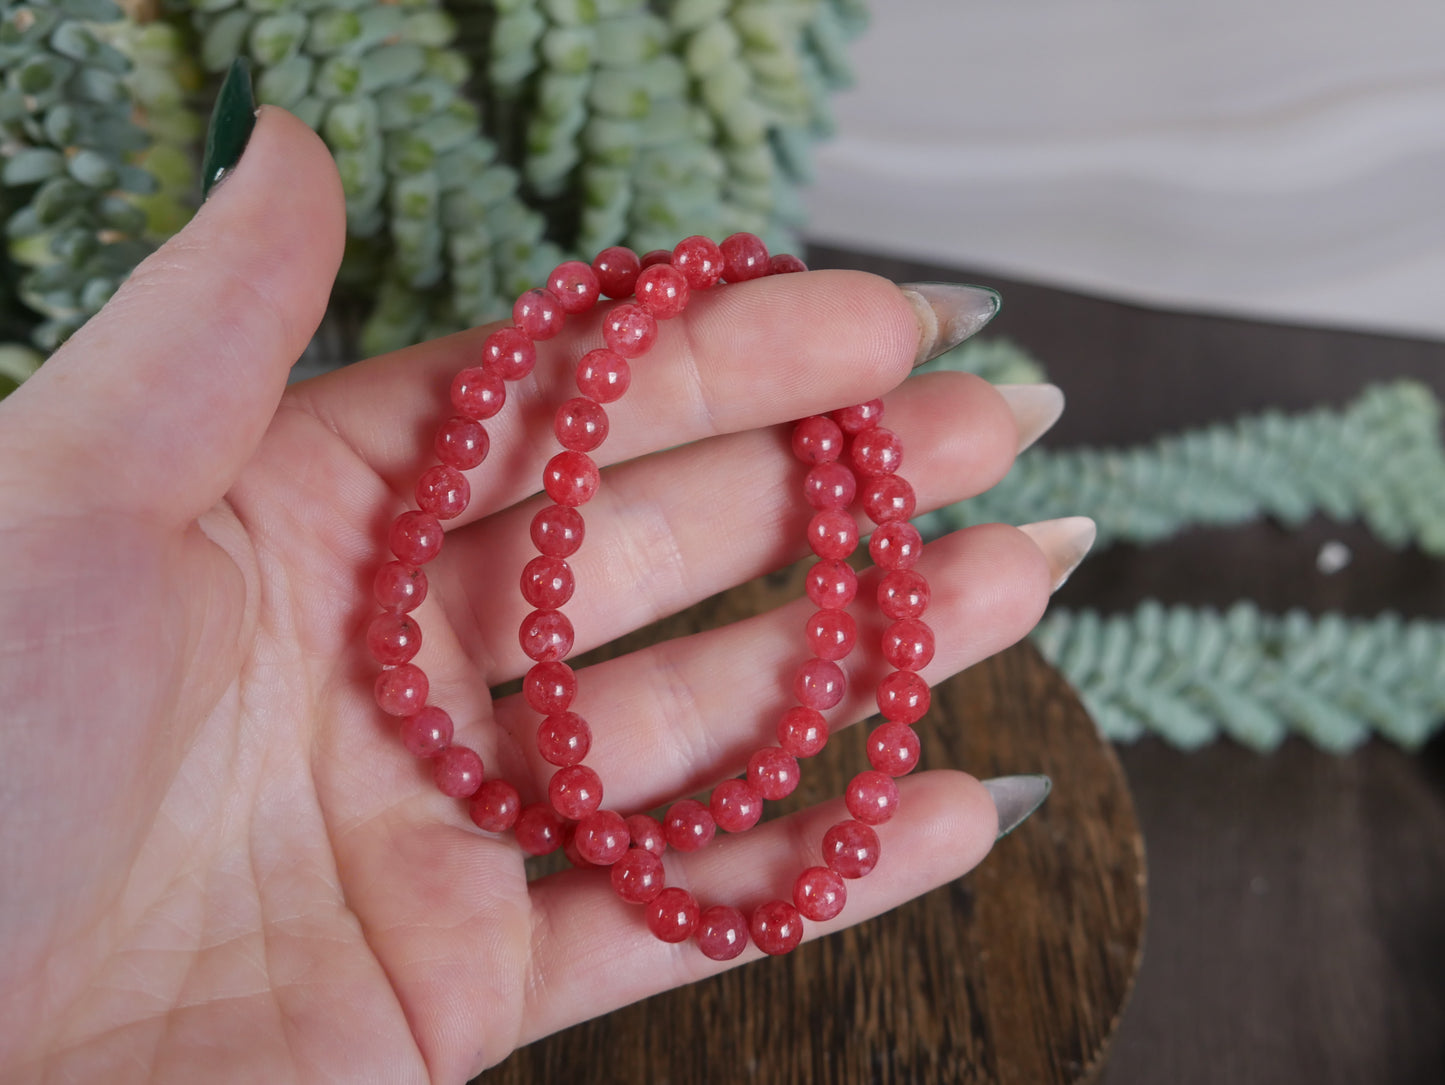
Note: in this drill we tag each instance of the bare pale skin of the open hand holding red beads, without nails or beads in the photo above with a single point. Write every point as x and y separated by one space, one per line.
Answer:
217 863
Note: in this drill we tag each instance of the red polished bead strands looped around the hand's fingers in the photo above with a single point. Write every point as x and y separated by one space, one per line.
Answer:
852 459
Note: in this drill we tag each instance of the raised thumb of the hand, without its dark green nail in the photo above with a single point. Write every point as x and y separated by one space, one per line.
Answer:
157 405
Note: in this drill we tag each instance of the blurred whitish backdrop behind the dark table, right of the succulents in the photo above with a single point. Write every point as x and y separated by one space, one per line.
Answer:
1280 158
